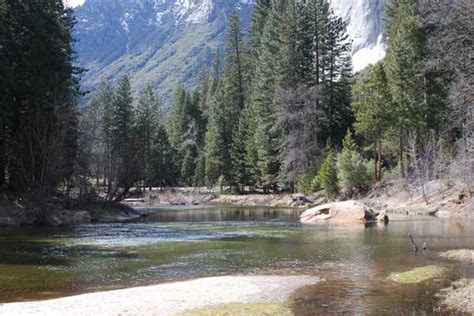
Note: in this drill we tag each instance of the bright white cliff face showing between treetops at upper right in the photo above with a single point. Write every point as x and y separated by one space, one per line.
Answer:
365 20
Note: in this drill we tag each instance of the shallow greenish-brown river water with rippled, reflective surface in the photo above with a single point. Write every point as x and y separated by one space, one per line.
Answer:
192 242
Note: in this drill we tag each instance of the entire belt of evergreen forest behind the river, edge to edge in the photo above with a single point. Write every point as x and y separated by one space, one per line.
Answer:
281 111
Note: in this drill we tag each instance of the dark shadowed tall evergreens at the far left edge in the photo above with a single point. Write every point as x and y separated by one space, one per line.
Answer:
38 100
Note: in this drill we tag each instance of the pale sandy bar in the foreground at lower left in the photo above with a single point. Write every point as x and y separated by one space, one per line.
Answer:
168 299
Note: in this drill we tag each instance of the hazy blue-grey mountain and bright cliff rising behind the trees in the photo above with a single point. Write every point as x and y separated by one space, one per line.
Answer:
165 42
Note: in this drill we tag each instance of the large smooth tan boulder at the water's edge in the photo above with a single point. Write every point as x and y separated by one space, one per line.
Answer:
339 212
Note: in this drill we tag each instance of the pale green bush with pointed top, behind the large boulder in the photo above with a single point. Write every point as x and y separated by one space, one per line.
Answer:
354 175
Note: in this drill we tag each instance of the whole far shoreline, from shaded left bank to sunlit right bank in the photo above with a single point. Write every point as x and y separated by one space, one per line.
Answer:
392 198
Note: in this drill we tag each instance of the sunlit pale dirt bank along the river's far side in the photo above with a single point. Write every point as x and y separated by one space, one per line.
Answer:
433 198
